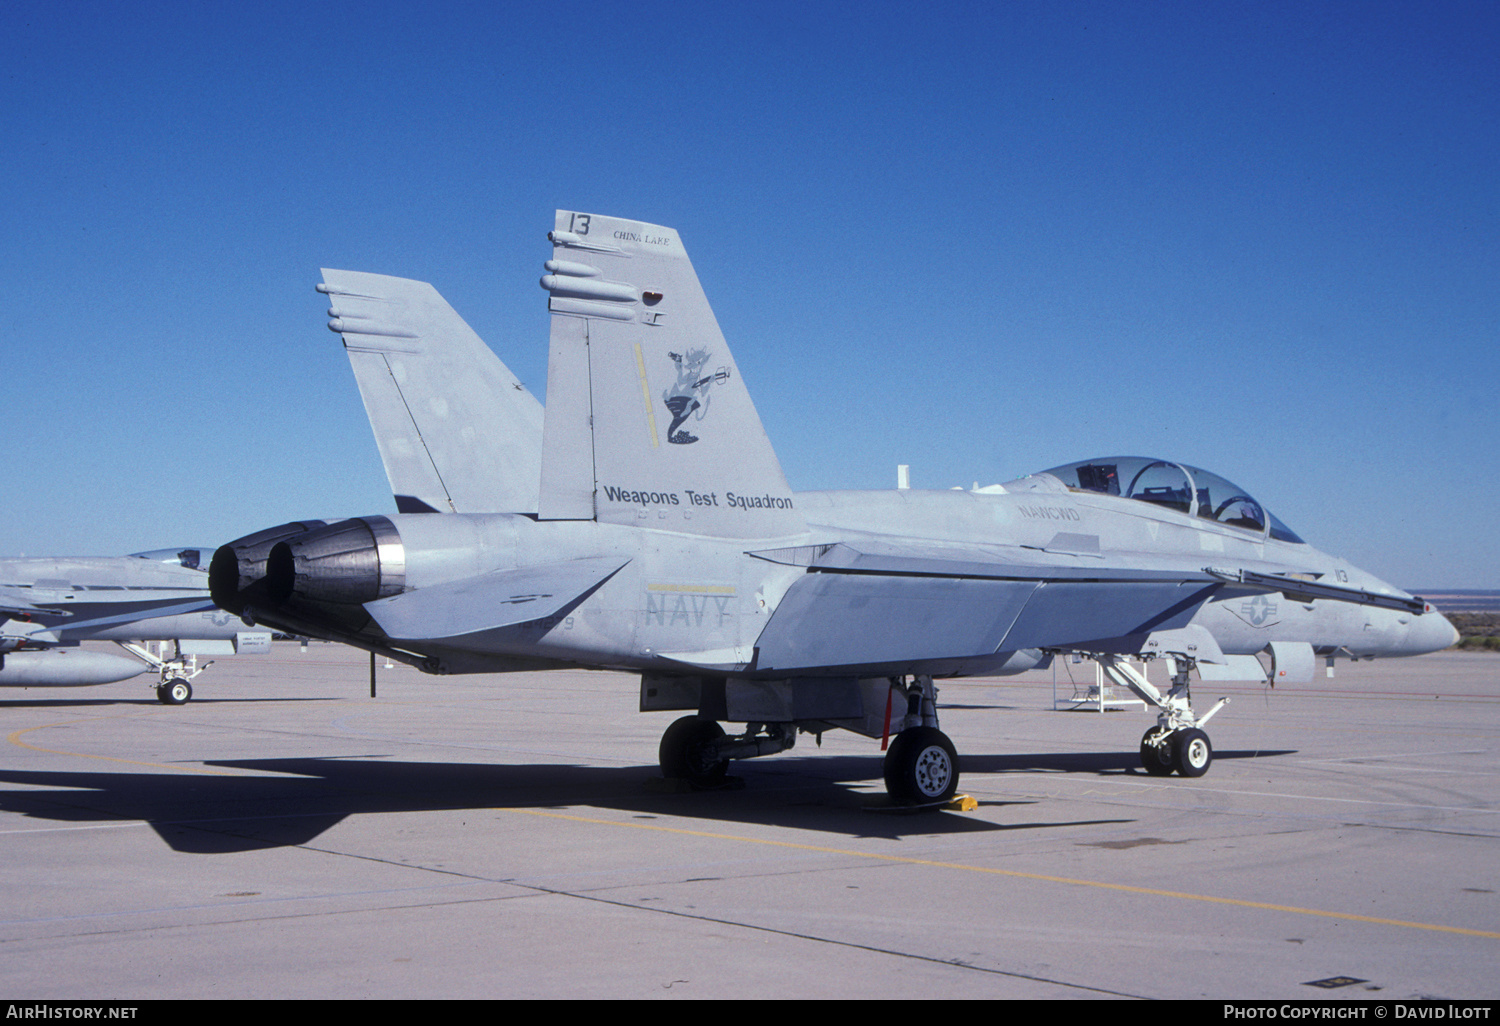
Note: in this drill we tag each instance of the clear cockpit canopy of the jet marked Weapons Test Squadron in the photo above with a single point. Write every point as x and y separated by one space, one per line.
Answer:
1177 487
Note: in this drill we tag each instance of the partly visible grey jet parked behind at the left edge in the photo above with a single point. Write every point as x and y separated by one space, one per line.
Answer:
50 605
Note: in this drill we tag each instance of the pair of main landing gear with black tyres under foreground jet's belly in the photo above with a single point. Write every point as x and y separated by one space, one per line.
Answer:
922 764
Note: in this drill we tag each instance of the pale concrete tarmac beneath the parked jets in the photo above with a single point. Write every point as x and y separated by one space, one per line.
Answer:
287 836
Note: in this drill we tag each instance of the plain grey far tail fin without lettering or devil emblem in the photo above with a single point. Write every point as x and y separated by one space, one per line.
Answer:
457 431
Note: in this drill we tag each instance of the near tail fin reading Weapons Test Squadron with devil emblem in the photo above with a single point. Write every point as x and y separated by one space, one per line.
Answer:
649 421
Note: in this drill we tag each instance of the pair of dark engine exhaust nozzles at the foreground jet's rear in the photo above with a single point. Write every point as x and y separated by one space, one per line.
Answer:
311 571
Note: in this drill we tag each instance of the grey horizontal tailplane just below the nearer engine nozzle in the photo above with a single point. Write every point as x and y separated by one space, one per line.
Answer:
502 599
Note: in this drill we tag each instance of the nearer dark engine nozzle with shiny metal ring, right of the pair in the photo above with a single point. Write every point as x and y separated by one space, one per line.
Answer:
341 565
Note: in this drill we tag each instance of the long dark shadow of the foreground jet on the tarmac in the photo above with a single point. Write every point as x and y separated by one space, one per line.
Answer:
235 814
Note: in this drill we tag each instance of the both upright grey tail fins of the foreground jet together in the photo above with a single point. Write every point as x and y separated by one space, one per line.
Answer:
647 424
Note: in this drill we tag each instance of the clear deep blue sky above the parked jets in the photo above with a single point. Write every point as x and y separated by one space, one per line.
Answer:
979 239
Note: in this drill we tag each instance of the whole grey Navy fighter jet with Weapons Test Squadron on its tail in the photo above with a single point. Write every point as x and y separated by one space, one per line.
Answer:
644 524
